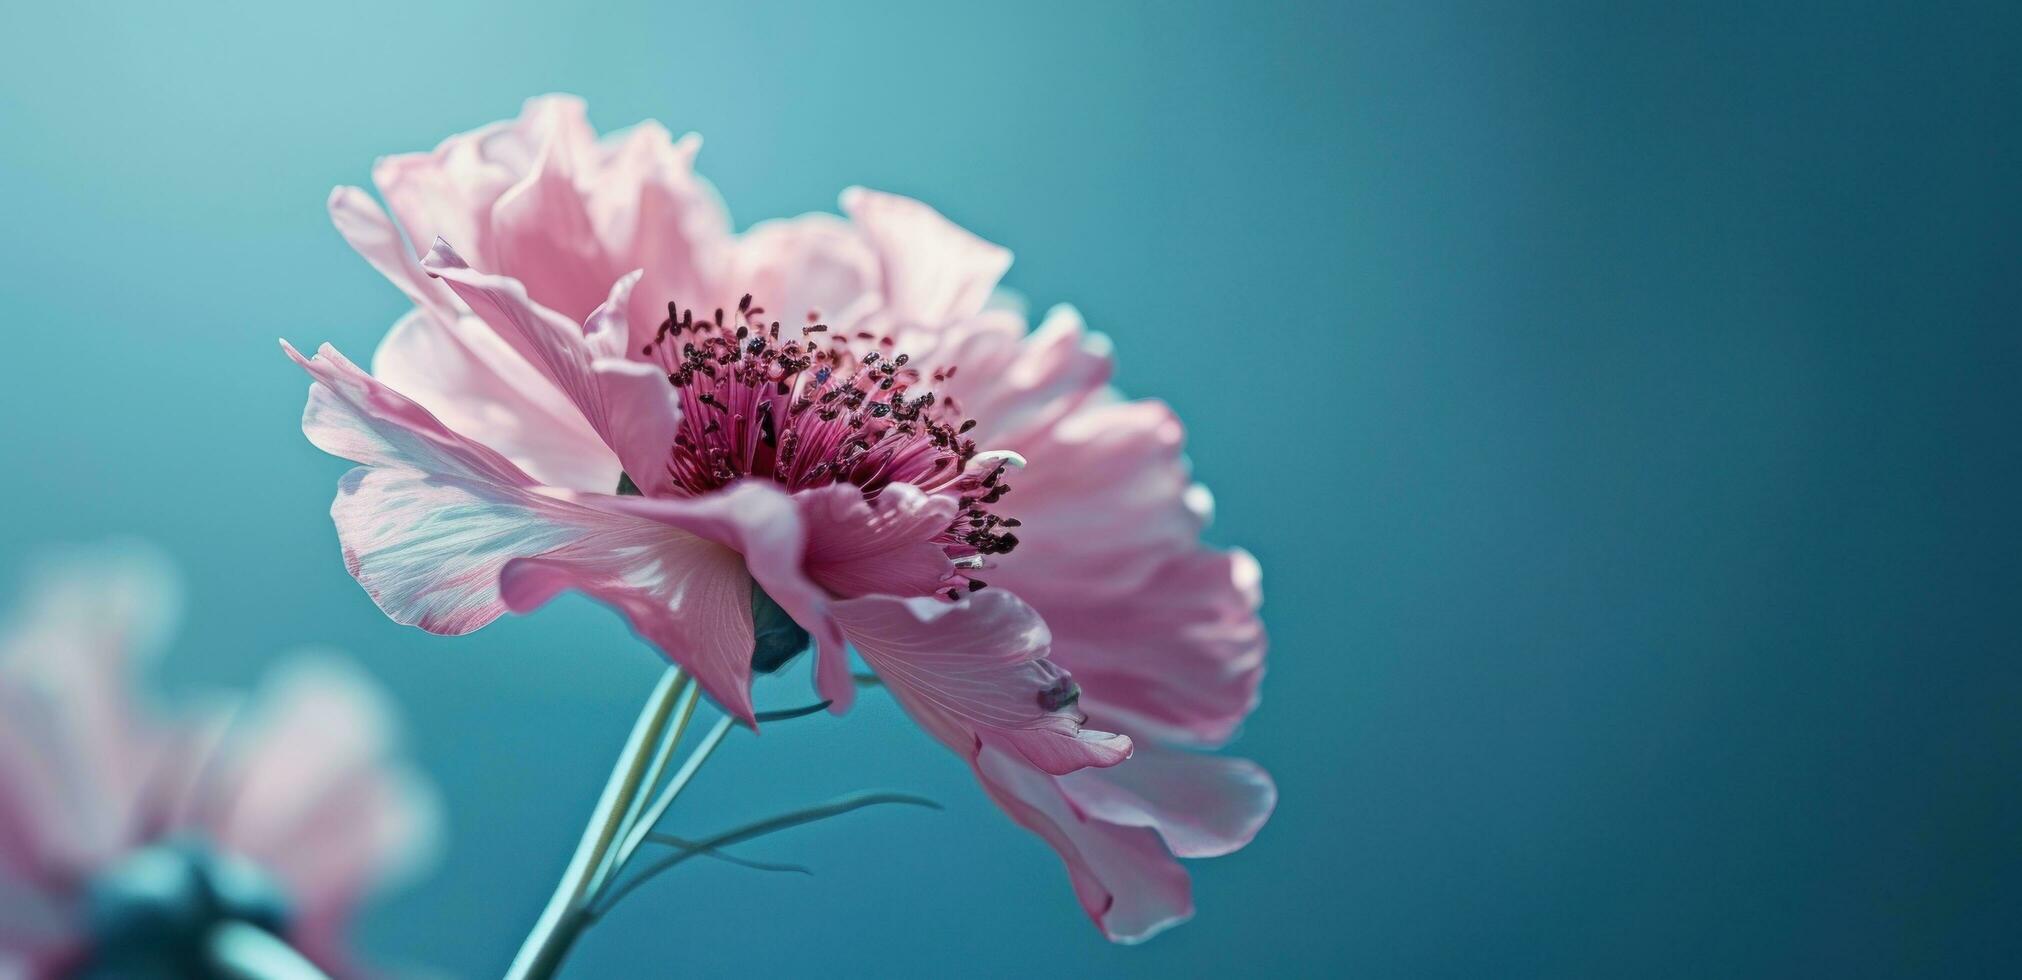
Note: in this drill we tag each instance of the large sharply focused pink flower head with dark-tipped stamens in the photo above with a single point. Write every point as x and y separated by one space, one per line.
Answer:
583 401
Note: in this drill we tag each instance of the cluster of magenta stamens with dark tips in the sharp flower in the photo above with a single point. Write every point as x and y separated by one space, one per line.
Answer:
816 409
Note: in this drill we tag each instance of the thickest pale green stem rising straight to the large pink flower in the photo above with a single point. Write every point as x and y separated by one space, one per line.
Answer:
567 912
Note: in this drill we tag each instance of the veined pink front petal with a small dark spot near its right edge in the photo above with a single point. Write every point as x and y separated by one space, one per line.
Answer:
976 674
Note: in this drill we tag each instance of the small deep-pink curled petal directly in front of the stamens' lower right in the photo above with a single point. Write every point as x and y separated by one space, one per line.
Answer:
856 549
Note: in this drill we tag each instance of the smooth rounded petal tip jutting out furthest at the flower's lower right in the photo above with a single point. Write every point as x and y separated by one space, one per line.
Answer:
1200 805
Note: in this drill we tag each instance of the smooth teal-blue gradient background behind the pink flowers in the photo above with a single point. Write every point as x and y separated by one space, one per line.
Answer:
1621 403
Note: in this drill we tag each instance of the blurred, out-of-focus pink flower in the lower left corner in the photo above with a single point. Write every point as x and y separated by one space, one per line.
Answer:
128 836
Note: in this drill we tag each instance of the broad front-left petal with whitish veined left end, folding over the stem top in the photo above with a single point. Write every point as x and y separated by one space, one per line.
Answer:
448 536
